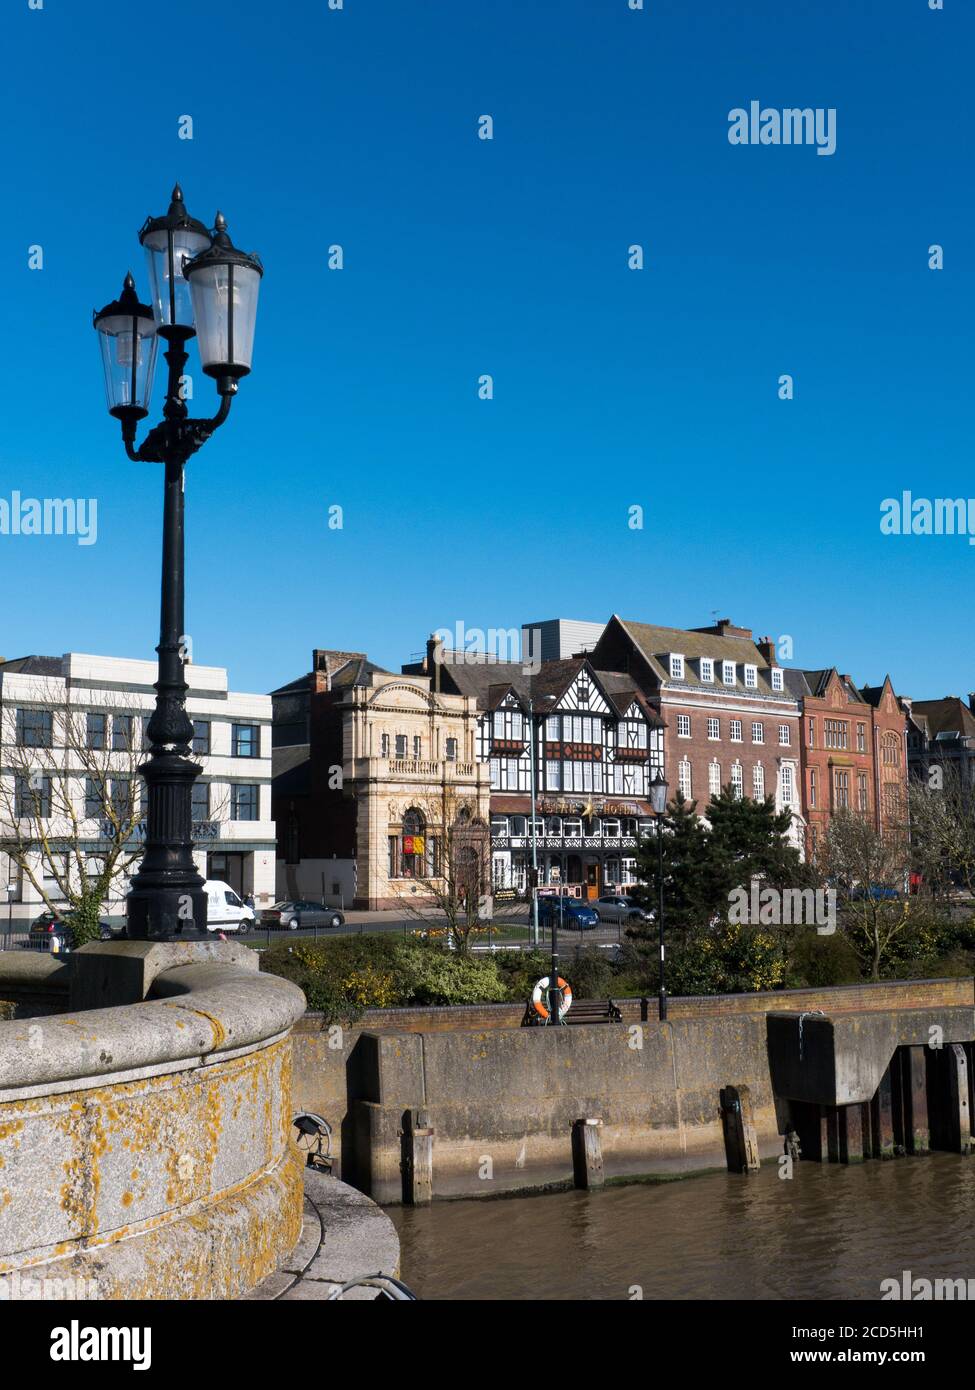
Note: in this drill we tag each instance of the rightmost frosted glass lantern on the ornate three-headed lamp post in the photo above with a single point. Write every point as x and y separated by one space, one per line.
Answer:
225 284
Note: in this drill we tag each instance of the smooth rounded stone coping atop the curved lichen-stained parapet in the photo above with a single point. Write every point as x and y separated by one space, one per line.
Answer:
197 1013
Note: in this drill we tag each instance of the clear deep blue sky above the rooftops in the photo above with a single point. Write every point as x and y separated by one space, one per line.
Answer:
462 258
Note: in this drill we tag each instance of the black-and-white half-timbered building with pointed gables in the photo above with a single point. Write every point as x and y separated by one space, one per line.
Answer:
597 746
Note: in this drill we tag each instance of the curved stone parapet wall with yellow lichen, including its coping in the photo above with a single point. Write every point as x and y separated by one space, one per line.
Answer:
147 1147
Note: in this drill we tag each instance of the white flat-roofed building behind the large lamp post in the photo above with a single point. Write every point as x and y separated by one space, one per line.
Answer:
111 701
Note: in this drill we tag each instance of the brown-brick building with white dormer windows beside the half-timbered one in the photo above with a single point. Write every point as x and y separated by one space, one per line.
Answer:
728 712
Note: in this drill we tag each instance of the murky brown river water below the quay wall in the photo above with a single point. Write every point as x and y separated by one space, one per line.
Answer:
831 1232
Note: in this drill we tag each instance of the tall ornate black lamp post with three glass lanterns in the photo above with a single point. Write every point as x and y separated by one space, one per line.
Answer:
201 286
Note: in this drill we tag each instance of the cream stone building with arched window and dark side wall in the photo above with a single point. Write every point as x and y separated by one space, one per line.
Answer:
375 778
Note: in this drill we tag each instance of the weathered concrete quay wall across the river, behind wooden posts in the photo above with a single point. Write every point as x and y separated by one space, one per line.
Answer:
501 1100
